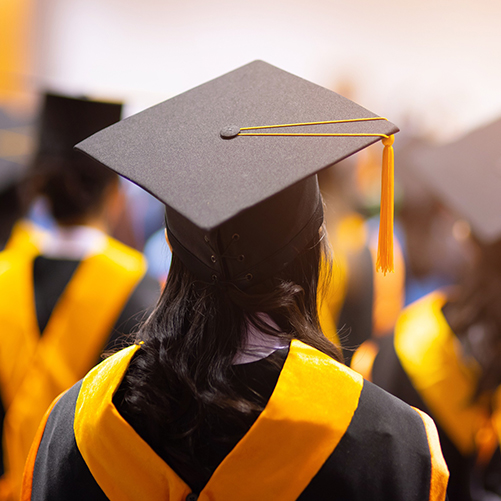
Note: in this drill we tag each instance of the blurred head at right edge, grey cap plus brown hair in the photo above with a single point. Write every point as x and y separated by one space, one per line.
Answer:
463 176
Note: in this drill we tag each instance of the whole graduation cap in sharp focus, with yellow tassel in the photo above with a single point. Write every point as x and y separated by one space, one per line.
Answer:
235 162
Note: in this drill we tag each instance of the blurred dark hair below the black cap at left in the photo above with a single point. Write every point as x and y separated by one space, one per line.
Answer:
74 185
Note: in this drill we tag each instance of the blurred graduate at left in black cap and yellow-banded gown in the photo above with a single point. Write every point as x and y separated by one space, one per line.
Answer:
70 294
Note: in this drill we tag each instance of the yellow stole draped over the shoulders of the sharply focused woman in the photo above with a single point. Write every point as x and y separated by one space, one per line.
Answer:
283 450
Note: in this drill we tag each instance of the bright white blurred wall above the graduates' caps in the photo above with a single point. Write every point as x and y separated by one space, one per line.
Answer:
432 63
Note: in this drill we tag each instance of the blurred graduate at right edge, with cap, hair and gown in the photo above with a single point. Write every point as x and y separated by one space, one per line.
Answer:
444 355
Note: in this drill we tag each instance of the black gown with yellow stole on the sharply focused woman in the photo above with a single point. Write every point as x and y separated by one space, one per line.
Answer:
384 449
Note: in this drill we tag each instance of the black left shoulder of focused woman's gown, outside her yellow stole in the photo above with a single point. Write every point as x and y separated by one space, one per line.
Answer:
60 473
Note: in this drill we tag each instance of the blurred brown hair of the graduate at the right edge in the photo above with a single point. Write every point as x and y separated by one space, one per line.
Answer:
474 315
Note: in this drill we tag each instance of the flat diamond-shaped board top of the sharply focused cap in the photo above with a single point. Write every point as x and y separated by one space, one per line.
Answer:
175 150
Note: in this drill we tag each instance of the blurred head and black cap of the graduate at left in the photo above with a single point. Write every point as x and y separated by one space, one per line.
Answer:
77 188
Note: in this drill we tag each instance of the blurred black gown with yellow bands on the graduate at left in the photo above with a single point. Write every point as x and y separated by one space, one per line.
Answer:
42 289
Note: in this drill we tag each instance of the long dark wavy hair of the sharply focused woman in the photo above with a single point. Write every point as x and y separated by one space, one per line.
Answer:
182 372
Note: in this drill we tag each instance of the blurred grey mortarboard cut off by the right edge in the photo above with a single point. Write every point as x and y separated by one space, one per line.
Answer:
466 176
